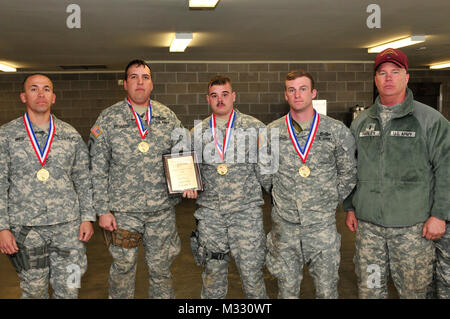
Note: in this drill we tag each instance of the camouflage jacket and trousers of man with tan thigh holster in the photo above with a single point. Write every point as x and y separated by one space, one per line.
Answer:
132 185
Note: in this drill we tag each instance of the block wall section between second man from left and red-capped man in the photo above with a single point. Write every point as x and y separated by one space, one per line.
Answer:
260 87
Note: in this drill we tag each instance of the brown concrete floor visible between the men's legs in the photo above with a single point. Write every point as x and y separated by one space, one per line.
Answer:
187 275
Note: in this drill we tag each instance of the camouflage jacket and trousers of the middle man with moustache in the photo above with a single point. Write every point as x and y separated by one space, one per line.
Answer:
230 214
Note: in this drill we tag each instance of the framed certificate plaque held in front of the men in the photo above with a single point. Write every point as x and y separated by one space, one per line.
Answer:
182 172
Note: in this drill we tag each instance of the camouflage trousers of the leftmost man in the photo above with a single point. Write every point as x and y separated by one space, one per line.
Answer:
66 259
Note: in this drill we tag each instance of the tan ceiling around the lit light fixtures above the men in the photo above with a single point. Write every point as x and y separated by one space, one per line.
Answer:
35 36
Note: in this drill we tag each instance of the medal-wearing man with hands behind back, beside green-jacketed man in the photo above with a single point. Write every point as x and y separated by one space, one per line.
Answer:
311 181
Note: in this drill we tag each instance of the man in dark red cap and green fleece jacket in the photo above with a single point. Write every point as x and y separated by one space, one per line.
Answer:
400 203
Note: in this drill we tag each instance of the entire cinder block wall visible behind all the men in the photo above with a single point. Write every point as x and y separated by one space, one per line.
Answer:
80 97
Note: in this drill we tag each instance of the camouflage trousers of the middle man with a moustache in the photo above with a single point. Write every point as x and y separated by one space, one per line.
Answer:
242 233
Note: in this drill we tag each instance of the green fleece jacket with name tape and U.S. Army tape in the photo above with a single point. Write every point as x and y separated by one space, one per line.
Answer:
403 170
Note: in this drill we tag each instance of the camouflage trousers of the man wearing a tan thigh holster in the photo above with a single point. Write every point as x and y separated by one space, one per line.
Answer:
161 243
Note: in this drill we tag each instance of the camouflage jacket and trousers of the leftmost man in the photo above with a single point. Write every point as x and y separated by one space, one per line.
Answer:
48 214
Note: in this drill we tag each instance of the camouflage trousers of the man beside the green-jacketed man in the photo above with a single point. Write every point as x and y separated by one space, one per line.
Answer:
291 246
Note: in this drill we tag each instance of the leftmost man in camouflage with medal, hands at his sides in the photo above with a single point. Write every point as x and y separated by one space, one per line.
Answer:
46 196
